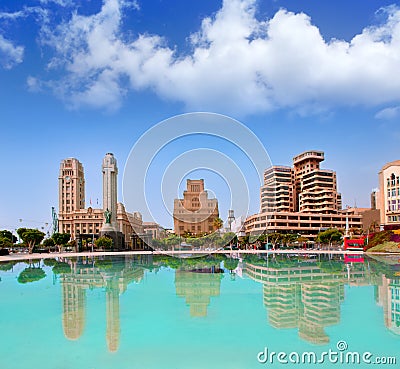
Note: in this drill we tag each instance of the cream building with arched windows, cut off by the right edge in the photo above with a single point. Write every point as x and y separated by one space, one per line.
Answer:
389 195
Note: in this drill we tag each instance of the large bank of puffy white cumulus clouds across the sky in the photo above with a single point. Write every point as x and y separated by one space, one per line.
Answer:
236 64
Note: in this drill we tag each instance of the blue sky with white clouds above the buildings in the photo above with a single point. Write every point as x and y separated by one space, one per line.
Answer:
82 78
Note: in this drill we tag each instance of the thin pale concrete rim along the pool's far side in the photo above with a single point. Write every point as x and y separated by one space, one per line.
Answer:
24 256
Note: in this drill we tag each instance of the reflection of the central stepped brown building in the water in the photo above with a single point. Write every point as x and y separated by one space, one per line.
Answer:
197 286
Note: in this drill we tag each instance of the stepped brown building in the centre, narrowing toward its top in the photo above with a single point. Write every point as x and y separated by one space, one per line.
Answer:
195 213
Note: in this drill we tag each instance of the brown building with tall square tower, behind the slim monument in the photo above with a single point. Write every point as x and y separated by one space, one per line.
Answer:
77 220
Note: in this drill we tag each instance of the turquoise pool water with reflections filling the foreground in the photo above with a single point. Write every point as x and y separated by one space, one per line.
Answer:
153 312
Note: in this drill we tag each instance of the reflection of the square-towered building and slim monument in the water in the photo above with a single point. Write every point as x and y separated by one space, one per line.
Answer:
113 275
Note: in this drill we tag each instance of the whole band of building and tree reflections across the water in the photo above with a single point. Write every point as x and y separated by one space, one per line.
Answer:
302 293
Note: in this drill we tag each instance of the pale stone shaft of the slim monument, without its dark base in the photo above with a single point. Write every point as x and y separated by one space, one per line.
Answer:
110 172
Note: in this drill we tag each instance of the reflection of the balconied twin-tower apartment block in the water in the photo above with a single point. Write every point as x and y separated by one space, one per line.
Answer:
304 294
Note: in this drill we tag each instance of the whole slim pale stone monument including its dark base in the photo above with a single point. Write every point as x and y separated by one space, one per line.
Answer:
110 226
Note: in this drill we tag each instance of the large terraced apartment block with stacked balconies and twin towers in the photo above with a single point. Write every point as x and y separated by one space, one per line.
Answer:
301 199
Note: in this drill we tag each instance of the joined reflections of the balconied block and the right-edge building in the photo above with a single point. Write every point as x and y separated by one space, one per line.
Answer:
307 294
